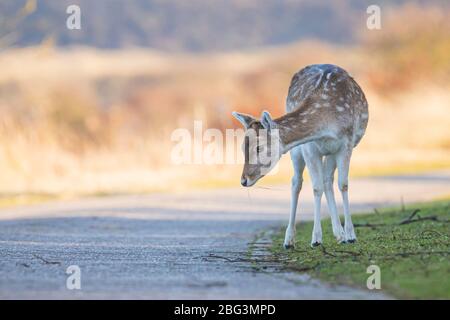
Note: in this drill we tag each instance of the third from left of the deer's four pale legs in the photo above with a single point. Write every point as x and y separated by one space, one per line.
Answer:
329 168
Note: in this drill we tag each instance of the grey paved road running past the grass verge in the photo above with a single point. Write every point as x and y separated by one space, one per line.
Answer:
174 246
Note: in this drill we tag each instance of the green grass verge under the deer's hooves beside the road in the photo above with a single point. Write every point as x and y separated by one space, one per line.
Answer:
413 257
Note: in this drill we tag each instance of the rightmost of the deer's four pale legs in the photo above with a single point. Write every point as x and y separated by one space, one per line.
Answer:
343 164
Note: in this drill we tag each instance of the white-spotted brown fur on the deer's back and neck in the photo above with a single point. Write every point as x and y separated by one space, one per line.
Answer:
322 97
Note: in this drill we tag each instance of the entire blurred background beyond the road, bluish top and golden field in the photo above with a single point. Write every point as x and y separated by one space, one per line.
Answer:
91 111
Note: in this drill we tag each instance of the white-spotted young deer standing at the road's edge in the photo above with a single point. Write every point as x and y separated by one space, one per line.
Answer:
327 115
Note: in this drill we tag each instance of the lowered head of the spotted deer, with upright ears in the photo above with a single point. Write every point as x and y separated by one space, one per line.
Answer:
261 146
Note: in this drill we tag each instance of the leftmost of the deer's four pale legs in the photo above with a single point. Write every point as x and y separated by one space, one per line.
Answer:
297 180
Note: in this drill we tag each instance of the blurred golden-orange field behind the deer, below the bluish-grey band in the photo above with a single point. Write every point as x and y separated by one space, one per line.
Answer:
84 121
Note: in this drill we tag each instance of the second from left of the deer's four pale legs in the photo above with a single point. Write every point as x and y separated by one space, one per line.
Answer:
315 167
